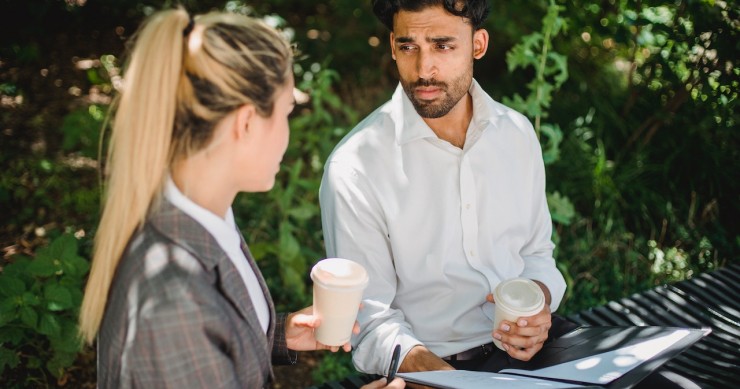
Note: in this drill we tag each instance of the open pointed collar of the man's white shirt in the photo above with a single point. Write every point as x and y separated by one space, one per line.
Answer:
409 126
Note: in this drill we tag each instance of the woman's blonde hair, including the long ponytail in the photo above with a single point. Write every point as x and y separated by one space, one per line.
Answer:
180 81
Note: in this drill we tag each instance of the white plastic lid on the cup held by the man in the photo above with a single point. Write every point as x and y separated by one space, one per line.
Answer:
521 295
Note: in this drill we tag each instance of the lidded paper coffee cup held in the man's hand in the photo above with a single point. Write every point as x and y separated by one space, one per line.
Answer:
515 298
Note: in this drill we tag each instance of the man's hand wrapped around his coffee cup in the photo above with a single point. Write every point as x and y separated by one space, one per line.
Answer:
523 339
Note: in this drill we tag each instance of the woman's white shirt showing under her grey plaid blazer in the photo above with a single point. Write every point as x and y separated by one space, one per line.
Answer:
227 235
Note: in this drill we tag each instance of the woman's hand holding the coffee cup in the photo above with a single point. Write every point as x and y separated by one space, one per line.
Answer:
299 332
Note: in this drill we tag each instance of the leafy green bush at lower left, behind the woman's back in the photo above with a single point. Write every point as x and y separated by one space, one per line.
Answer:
39 304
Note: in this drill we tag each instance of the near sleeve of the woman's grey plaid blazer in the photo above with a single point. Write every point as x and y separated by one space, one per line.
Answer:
179 343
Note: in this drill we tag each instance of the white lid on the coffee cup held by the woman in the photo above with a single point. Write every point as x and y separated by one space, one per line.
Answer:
339 273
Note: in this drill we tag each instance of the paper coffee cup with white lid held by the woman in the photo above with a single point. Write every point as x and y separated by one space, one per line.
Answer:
337 292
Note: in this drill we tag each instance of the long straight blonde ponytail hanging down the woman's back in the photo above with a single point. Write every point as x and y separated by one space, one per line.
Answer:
138 156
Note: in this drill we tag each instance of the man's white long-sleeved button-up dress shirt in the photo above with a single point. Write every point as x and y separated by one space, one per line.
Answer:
436 227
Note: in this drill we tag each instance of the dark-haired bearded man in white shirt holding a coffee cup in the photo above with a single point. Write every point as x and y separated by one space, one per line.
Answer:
440 194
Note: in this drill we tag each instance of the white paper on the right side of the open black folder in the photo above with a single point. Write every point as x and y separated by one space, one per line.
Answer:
606 367
